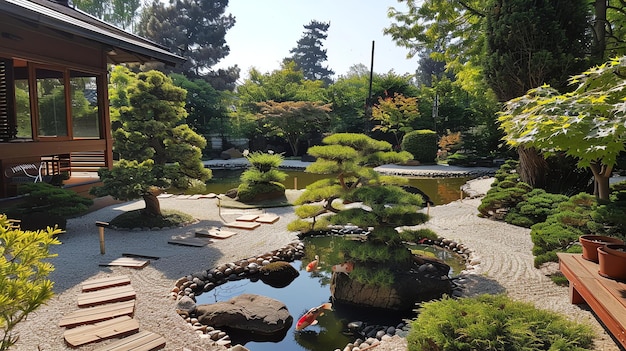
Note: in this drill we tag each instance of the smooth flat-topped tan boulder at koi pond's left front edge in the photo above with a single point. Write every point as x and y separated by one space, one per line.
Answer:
249 313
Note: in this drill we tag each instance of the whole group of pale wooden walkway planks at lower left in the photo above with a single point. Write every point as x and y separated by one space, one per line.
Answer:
112 317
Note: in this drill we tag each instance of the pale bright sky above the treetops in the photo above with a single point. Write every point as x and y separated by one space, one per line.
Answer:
265 31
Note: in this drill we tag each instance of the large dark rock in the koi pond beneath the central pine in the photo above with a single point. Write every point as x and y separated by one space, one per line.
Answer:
426 282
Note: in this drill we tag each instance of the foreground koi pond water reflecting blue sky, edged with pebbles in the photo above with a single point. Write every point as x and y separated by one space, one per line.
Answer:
311 289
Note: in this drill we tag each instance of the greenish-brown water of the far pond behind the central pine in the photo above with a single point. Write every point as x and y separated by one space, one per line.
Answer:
440 190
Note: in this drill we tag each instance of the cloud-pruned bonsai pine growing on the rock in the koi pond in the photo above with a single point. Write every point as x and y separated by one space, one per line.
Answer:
384 204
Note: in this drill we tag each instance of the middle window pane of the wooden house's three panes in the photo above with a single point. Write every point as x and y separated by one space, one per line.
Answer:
51 103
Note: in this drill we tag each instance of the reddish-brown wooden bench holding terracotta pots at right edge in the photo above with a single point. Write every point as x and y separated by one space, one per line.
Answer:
606 297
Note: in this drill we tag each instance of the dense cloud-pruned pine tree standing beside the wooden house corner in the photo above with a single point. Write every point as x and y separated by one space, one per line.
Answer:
156 150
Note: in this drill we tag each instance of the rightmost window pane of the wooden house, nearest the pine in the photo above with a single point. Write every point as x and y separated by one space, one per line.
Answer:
84 94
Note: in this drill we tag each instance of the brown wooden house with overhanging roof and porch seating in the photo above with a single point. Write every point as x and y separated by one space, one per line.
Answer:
54 113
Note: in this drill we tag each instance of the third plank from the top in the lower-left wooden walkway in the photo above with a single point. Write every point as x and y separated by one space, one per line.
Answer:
92 315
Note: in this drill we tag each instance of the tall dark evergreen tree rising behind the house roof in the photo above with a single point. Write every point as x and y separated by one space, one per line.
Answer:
196 30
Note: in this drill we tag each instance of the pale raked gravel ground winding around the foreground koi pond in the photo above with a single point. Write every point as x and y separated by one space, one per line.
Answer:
504 252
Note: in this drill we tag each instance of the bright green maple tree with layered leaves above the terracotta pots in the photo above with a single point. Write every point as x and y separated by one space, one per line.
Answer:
588 124
